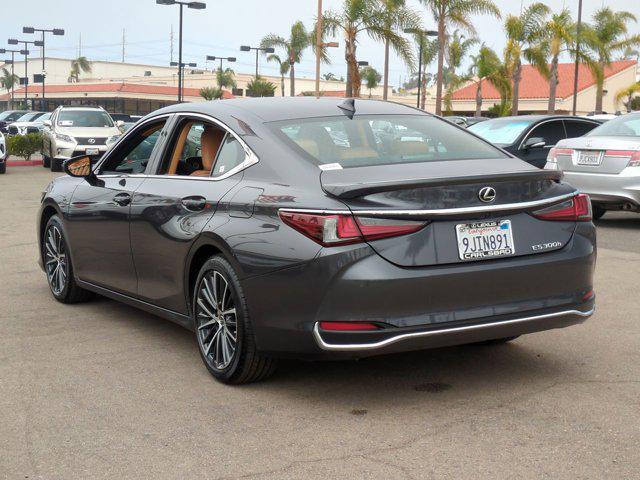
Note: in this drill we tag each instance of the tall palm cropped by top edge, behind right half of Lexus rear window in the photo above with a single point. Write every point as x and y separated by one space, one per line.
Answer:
454 13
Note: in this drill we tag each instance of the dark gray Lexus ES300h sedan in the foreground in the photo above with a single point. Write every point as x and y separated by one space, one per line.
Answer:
318 228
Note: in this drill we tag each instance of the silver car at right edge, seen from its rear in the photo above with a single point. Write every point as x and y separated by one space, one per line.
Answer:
604 163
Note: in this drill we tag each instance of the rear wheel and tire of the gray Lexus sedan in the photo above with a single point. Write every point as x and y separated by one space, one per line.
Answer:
245 364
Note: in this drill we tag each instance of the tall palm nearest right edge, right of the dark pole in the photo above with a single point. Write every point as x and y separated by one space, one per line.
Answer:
603 39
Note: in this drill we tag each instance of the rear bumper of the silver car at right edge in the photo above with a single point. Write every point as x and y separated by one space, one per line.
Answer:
609 189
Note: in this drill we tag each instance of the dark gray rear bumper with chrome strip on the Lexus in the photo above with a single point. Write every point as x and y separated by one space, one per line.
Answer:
490 299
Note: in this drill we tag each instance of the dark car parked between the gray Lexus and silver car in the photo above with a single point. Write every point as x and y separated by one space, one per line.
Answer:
530 137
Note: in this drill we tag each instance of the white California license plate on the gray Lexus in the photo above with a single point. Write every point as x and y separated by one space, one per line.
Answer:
483 240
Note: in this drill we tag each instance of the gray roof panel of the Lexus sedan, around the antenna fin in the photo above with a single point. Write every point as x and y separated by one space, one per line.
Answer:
271 109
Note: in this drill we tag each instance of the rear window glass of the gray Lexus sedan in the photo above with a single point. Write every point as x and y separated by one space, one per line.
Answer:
381 140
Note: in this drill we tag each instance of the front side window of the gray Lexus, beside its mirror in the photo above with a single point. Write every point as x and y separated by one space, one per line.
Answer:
133 156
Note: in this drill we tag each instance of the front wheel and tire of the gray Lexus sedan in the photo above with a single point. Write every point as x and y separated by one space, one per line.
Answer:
63 285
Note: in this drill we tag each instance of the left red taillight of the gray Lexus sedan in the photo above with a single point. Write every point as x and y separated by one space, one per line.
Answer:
343 229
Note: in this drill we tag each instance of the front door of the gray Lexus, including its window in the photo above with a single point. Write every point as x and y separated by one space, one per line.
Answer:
99 211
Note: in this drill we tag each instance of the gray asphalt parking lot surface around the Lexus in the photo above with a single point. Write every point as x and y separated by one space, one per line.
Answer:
102 390
